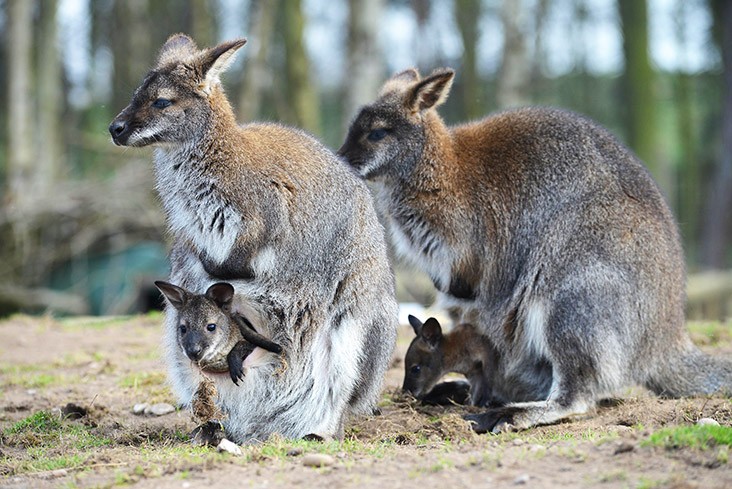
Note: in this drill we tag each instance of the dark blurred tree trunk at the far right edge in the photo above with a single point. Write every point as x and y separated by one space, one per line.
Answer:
716 240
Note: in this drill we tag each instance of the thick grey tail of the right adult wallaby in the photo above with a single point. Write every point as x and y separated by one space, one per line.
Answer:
691 372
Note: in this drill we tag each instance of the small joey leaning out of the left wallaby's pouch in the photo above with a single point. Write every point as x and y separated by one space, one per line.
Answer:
209 333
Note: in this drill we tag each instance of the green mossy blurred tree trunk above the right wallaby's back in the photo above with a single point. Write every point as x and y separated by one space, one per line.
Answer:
638 84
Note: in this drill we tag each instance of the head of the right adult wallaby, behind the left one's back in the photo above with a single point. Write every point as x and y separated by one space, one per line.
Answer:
388 136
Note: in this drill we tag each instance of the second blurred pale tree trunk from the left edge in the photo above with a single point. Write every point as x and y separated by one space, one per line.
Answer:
50 99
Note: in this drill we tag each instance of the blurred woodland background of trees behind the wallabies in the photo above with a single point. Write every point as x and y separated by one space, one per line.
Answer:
81 231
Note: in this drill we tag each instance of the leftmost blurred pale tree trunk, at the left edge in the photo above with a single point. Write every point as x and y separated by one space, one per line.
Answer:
21 154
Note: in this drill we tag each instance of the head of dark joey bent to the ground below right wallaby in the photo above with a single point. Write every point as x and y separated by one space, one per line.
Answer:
425 359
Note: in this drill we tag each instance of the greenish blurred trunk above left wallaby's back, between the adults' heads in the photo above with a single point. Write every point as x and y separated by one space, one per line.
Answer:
301 94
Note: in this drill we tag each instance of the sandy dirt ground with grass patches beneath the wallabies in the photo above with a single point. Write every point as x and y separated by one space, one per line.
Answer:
106 366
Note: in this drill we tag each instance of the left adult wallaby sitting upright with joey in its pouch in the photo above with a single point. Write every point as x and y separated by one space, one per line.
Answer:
272 211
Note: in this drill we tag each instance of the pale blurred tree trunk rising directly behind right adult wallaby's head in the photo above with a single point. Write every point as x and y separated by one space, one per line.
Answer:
364 55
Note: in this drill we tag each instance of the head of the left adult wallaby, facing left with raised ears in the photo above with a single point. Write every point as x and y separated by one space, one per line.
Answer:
177 99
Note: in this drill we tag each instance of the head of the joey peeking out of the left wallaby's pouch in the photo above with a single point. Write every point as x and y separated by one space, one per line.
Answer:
204 328
